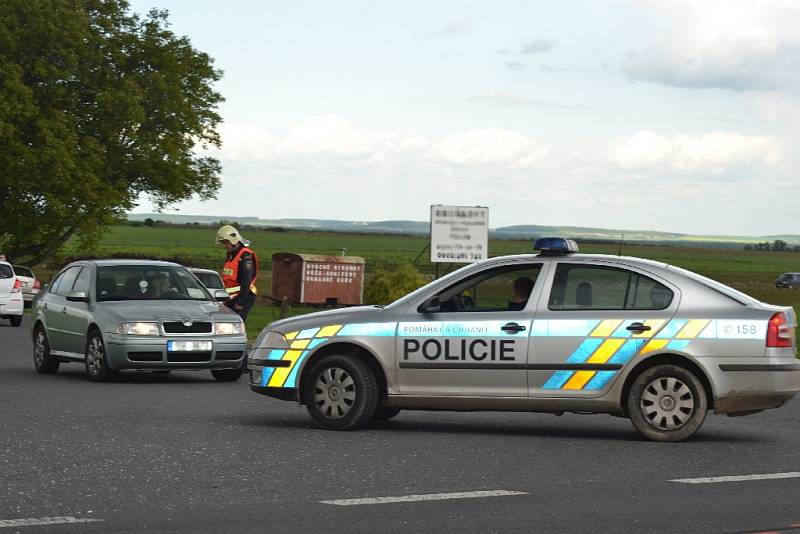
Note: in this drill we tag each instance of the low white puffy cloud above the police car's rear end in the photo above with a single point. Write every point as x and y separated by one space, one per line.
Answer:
710 154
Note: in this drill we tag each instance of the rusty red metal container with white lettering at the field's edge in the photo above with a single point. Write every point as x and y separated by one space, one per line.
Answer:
312 279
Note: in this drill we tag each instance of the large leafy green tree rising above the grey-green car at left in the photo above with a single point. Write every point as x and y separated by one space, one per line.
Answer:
97 106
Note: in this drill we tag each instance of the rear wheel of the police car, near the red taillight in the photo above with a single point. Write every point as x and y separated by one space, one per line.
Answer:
667 403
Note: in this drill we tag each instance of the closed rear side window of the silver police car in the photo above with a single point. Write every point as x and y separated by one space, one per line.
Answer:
596 287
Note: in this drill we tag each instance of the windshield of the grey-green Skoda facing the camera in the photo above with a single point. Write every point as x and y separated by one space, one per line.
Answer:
148 282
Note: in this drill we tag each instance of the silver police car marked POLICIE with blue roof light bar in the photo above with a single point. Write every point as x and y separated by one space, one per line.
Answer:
551 332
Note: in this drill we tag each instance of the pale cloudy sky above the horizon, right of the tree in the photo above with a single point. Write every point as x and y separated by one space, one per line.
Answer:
678 115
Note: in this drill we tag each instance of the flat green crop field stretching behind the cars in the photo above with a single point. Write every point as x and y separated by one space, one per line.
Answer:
750 271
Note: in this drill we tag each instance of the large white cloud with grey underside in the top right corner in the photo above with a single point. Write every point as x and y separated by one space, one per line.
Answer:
723 44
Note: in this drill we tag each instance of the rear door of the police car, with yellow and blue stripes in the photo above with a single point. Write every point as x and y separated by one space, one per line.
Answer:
592 319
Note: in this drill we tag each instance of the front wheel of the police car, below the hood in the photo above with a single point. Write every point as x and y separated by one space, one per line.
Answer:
341 393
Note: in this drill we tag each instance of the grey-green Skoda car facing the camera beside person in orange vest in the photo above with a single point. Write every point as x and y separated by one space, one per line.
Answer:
112 315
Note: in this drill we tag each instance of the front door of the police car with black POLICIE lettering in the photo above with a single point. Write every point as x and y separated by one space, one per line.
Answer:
476 343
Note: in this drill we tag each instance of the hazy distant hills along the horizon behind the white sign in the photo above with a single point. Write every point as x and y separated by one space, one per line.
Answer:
505 232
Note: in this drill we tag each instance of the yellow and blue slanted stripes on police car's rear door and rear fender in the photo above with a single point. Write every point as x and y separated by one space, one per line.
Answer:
610 342
